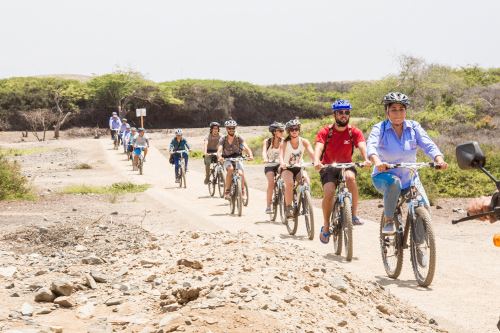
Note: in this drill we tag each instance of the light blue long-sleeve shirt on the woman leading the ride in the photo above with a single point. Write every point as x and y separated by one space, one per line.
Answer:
385 143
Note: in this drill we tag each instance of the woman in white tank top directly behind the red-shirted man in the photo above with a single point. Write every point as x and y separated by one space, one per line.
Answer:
291 157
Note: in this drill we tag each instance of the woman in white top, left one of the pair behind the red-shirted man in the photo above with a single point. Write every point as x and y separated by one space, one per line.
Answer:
271 158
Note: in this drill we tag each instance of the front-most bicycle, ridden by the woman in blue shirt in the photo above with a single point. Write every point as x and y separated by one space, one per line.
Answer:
392 246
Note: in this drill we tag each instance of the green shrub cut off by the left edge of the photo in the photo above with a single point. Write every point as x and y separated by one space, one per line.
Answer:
13 185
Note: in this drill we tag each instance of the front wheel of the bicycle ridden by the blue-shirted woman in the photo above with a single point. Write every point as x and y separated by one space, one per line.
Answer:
424 272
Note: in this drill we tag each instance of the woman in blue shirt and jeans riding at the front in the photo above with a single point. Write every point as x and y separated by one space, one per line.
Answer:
395 140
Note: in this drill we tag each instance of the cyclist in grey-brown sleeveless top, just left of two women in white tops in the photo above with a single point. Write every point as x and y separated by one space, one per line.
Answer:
232 145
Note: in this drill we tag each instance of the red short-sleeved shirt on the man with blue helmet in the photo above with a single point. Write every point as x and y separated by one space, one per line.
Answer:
339 147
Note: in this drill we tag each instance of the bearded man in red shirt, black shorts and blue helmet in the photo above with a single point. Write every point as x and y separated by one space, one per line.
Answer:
336 143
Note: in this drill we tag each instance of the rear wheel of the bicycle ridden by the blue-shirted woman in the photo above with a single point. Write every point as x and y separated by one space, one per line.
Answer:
391 247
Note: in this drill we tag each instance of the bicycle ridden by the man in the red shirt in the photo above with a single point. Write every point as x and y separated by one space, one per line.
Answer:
341 215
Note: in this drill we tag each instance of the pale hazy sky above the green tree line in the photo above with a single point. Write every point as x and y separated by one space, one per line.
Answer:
261 41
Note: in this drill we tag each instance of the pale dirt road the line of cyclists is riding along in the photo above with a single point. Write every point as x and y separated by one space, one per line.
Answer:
464 296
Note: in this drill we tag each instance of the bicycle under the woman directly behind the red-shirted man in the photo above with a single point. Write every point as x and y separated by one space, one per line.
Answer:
302 204
